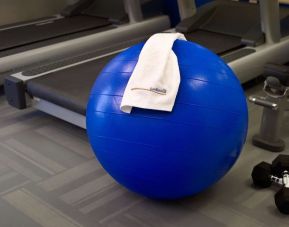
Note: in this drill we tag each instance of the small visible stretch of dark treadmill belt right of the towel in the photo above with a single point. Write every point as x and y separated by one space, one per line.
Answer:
218 43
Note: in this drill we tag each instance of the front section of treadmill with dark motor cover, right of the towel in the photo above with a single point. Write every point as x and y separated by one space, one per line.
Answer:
246 35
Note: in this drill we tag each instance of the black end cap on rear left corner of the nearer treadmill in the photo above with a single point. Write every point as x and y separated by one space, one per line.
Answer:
15 92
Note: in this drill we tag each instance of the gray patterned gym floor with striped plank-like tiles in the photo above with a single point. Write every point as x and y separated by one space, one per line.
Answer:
49 177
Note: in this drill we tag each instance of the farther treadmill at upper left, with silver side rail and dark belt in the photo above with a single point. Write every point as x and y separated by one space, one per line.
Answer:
80 26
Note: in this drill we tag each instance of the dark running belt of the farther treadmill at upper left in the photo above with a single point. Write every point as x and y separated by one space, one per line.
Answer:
29 34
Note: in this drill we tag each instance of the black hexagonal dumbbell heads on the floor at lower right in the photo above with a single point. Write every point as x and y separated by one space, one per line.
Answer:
264 174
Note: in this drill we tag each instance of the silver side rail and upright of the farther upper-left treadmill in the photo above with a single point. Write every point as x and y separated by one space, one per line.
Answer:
136 26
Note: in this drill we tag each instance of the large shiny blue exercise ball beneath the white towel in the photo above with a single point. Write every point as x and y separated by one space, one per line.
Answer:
169 155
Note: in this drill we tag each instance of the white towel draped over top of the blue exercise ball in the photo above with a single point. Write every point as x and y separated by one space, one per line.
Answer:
155 80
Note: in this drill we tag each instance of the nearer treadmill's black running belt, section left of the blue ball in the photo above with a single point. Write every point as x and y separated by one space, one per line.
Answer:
70 87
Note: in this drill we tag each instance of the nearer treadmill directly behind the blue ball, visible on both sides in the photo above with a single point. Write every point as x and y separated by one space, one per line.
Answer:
62 88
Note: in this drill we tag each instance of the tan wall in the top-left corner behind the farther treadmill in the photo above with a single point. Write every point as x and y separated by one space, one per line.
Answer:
12 11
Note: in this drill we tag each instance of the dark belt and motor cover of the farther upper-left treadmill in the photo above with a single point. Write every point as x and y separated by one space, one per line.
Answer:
72 20
